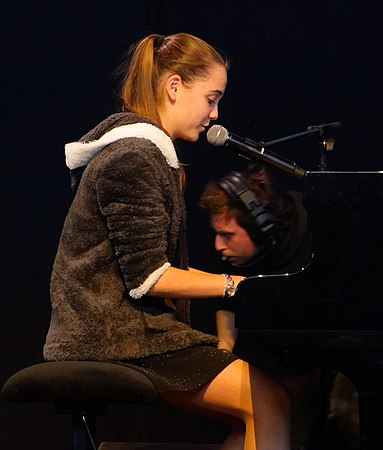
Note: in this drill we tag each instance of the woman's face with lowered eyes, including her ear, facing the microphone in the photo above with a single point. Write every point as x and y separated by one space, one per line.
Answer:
192 107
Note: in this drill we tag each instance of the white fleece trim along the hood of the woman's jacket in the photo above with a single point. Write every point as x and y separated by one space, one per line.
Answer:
78 154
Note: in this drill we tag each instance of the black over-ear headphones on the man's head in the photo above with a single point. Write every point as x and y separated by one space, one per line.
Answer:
263 228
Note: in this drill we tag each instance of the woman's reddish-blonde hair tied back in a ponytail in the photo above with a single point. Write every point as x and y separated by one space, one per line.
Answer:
155 57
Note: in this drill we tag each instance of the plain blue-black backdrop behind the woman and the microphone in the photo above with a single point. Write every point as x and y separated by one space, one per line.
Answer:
294 64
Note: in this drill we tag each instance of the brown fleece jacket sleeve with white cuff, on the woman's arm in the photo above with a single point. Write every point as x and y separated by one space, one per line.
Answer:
132 190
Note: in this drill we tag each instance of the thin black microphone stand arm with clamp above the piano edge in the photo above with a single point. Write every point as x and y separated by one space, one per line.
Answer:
326 141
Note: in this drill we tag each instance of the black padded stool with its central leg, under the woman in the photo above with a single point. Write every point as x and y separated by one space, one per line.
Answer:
80 388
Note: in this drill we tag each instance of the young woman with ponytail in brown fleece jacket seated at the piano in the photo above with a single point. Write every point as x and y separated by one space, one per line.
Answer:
120 278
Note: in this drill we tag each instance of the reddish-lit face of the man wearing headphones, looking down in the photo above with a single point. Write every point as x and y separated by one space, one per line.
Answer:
231 240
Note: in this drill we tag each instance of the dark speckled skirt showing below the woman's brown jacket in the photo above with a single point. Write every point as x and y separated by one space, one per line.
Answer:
183 370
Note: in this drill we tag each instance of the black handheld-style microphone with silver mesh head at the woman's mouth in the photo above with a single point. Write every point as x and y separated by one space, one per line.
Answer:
219 136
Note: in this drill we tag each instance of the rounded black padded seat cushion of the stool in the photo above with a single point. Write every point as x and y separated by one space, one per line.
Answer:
79 381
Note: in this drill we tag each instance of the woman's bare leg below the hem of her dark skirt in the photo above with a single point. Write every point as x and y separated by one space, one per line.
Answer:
245 393
